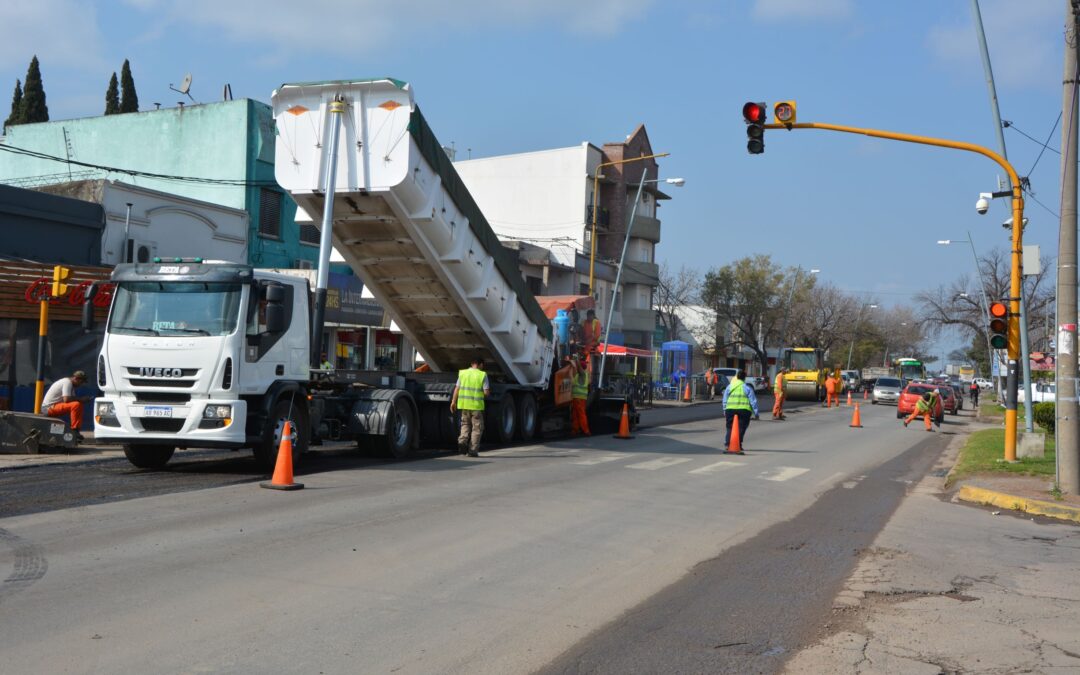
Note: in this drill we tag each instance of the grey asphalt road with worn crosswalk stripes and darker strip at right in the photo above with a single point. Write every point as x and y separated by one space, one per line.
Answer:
653 556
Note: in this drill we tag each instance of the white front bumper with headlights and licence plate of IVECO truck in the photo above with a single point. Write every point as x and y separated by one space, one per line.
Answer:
187 425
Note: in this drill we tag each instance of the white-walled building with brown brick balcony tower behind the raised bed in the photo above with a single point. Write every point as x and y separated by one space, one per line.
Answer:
546 200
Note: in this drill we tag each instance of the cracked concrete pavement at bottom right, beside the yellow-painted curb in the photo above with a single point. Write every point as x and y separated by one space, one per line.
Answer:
953 588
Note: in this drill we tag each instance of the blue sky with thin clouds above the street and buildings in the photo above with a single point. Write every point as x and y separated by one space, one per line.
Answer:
512 76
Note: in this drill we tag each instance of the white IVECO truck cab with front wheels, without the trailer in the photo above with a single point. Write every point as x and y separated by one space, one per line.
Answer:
202 354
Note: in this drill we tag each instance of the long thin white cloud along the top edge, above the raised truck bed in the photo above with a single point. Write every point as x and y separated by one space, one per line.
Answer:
349 28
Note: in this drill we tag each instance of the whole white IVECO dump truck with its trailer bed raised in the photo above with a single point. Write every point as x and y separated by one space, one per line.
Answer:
218 355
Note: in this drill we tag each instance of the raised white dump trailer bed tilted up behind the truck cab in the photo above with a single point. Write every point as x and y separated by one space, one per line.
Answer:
408 226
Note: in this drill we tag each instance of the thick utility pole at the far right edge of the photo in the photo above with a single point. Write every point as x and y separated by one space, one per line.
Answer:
1068 425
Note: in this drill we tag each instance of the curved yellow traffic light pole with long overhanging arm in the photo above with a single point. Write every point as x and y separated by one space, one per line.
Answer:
1018 248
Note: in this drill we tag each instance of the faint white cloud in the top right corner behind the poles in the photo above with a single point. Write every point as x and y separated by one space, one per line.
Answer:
1024 40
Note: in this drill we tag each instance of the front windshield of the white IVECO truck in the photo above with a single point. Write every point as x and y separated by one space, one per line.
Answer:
175 308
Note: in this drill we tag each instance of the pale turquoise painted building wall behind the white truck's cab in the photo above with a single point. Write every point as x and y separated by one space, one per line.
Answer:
231 141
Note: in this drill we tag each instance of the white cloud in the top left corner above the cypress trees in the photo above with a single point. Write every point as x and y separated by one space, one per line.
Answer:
62 33
